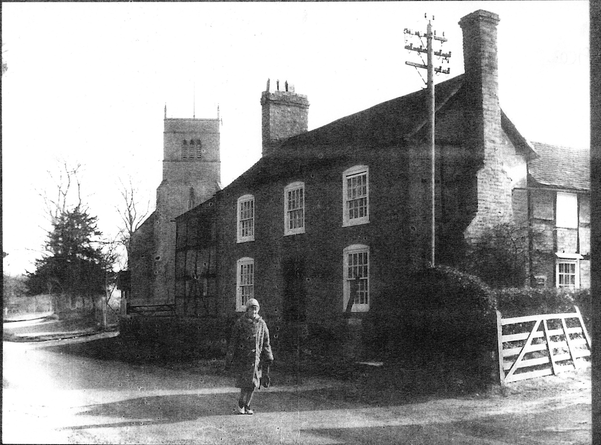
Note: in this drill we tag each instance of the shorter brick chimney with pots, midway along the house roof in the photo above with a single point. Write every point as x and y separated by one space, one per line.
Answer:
285 114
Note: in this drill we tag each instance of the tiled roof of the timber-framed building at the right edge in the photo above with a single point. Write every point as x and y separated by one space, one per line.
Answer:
561 167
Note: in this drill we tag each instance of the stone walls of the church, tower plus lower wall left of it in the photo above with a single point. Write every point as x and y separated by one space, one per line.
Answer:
187 182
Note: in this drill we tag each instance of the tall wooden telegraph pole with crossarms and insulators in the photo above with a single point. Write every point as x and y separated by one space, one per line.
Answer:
431 70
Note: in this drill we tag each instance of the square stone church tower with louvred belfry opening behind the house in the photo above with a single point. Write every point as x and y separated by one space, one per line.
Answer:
191 175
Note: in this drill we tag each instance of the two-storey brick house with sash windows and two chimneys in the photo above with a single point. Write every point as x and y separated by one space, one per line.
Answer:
344 209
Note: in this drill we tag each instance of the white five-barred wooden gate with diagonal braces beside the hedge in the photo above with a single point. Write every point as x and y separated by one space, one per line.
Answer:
540 345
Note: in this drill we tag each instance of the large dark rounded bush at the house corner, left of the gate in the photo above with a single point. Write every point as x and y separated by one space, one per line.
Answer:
437 315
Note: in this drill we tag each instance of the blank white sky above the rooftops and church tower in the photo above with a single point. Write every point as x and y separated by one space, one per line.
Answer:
87 83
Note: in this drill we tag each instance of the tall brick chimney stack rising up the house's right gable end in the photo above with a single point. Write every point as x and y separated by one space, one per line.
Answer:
482 124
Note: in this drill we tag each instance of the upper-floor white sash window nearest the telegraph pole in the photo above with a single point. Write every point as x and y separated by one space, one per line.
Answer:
355 195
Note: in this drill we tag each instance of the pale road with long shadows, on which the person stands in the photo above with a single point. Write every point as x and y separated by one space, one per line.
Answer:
52 395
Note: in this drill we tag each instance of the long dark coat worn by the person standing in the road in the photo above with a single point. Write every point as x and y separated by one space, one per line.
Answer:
249 348
